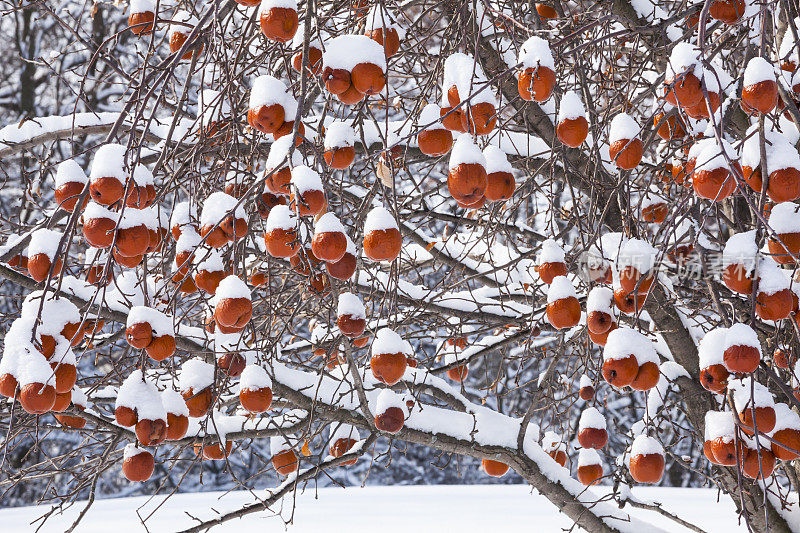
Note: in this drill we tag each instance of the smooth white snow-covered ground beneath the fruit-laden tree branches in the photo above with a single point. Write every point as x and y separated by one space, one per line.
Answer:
461 508
